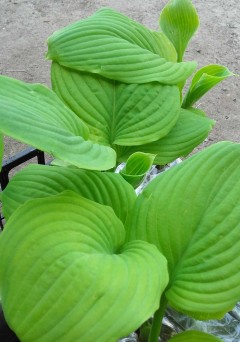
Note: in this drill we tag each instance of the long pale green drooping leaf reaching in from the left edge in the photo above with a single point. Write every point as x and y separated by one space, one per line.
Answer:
35 115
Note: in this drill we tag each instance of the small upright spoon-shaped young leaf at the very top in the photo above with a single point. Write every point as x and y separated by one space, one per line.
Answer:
179 21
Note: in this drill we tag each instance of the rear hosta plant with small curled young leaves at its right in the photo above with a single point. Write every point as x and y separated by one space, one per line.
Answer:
118 89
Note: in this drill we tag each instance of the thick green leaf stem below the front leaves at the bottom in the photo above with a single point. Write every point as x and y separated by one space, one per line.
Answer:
157 320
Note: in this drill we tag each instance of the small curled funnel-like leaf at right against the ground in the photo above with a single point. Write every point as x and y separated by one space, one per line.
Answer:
205 79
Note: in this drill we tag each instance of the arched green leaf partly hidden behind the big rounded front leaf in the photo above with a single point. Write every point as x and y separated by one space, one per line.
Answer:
102 187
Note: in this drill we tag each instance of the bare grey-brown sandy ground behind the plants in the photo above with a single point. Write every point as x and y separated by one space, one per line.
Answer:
26 24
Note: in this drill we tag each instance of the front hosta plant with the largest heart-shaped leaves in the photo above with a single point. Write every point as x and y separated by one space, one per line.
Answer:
84 259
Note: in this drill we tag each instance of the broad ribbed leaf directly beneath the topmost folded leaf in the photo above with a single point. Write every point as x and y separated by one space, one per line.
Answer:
117 113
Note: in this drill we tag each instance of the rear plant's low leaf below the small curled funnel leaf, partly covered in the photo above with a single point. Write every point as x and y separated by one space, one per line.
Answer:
190 130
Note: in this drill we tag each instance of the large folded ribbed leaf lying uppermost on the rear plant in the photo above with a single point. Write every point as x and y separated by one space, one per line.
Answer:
114 46
